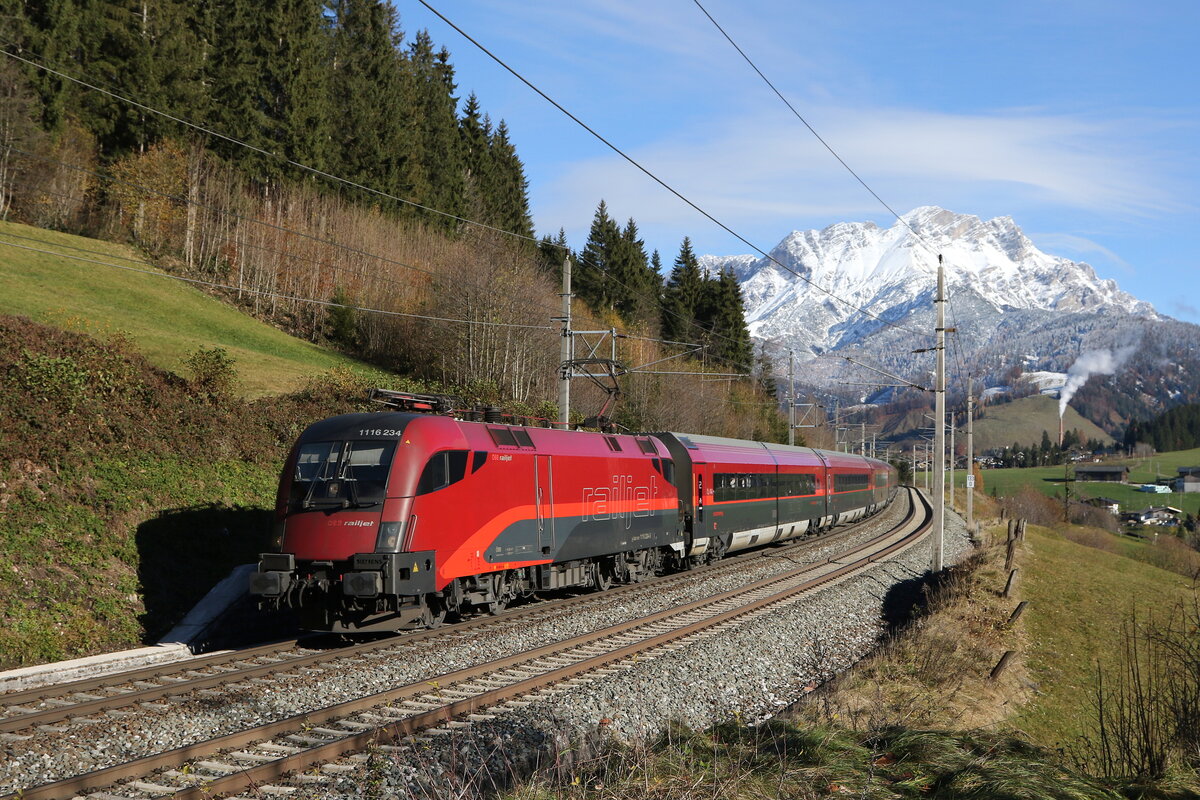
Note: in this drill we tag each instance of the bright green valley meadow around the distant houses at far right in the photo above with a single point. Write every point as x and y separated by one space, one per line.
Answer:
1049 482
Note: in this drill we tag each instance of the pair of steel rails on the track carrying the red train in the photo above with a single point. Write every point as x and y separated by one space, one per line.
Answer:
183 687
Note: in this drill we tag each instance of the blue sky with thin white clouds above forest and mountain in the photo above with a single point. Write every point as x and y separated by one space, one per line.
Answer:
1081 121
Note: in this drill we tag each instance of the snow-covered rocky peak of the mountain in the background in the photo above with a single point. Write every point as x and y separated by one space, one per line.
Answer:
892 273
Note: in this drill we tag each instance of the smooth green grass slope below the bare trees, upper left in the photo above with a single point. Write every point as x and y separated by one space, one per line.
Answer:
167 320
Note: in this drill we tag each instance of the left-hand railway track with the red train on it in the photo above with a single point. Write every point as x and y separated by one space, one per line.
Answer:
40 709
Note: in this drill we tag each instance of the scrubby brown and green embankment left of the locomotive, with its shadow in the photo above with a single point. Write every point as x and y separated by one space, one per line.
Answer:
128 491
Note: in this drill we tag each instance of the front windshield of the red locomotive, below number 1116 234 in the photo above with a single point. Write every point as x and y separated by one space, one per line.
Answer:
346 474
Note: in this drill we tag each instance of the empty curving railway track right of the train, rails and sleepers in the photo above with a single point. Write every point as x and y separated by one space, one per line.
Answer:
259 757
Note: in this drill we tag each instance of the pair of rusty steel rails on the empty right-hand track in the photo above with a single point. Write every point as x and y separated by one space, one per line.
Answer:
392 731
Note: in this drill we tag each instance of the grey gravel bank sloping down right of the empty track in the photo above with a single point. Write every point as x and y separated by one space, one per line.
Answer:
748 672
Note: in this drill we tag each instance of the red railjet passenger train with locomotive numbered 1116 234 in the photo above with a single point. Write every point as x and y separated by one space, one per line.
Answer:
394 520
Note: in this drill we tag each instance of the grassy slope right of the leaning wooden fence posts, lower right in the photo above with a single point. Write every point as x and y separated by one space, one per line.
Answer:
1079 598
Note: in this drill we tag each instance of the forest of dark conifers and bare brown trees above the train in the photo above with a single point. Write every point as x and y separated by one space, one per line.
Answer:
321 169
